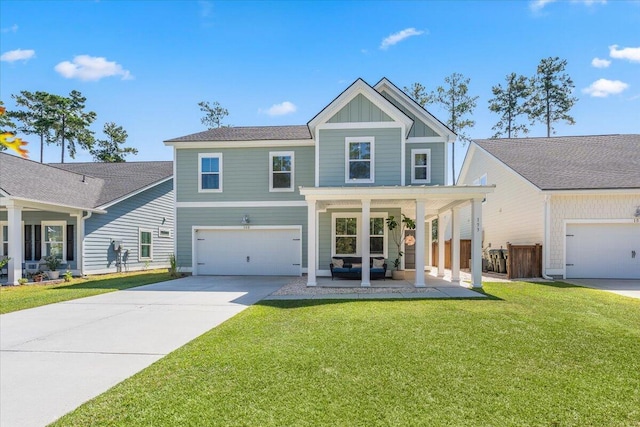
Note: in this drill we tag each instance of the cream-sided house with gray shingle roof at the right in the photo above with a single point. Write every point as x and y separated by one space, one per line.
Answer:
578 196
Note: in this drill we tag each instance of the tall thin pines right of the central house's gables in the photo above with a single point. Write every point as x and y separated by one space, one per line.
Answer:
545 97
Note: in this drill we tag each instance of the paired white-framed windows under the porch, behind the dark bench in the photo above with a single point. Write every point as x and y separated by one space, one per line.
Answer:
346 234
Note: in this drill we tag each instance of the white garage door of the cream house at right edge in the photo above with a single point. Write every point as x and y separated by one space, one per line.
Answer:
603 251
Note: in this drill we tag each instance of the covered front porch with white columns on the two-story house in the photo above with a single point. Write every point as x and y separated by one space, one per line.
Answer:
423 203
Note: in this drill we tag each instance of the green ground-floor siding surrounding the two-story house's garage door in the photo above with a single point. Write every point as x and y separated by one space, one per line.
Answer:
231 216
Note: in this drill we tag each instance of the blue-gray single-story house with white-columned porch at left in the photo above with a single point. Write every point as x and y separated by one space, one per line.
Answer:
82 212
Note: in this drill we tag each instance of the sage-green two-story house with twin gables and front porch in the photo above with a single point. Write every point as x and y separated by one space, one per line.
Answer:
282 200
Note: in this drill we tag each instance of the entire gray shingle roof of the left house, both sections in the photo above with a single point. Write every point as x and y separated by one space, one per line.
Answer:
81 185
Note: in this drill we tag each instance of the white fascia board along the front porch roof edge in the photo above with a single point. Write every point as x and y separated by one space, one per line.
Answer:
417 192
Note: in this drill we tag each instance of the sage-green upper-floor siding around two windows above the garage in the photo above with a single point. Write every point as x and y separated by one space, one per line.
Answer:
245 174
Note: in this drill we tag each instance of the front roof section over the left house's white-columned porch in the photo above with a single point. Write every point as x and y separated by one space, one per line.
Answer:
26 179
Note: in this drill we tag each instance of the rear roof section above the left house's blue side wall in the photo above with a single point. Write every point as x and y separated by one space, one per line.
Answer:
121 178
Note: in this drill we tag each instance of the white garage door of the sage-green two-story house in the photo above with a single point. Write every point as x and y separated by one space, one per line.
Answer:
248 252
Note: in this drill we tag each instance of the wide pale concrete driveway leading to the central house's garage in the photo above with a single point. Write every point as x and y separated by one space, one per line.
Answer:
54 358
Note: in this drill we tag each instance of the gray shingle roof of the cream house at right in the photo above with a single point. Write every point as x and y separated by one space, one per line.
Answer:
572 162
